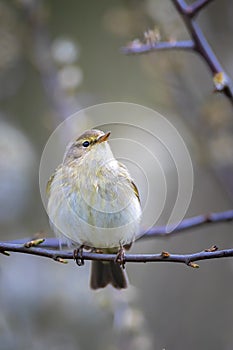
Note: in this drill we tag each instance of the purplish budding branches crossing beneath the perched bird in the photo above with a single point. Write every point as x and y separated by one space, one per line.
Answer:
49 248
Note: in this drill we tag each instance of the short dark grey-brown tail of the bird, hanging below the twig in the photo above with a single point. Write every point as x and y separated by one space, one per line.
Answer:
104 273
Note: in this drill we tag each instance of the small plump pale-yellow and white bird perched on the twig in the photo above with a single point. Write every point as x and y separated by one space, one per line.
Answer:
94 203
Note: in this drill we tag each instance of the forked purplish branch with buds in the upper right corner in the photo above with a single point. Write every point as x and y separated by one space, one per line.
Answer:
198 44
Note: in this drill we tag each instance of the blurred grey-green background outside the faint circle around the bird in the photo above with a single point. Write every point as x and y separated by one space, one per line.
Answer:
56 58
